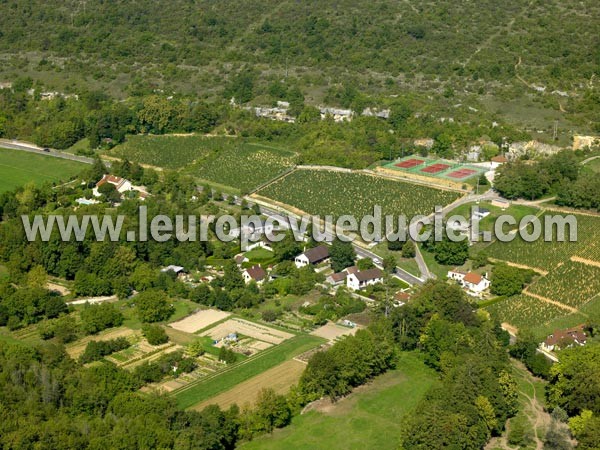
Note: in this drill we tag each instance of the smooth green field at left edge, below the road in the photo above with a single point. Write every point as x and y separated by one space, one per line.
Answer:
19 167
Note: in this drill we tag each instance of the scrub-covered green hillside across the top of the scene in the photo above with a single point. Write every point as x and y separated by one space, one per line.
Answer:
332 51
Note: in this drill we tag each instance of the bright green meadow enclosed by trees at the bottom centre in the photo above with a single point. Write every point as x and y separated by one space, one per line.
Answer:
368 418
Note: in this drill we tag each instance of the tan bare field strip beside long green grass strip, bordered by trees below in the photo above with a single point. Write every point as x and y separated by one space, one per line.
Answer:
280 378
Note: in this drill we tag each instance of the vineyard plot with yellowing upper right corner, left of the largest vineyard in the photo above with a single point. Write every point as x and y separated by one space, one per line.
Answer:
244 166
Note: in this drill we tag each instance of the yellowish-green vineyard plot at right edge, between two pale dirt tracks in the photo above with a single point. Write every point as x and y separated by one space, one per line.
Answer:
573 284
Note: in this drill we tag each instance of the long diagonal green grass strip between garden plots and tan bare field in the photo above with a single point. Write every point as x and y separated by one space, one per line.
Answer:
233 375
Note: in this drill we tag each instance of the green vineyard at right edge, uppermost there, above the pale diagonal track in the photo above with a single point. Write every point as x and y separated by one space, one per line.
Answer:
547 255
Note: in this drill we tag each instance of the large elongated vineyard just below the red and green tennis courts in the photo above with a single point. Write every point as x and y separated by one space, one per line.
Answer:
324 192
